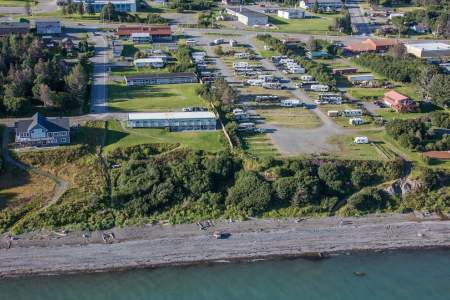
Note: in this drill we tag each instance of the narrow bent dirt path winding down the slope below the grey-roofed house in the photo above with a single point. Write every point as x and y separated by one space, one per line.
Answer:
61 185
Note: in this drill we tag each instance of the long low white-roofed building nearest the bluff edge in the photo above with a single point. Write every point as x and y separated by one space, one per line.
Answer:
176 121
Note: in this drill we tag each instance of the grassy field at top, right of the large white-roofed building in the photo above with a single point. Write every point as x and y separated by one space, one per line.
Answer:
316 25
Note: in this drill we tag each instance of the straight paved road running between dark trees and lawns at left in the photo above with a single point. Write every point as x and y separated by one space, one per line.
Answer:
99 104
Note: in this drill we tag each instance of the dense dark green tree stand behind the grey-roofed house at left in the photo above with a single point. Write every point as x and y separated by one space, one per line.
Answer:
31 74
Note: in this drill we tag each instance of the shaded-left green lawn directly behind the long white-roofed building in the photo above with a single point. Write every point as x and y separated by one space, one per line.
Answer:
168 97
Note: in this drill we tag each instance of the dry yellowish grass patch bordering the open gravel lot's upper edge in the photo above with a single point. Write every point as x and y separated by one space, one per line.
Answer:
289 117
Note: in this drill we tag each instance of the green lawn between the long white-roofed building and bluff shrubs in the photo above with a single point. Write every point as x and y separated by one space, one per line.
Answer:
118 136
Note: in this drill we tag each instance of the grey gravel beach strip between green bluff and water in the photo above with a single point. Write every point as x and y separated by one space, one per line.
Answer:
150 247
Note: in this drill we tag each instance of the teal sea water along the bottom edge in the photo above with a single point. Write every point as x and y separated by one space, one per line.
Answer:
393 275
